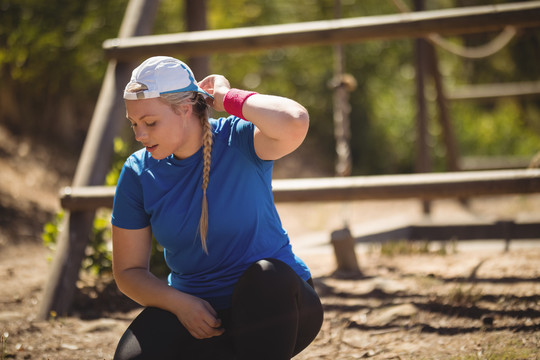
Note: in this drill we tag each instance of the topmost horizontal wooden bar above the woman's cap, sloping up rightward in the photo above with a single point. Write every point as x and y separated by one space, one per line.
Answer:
386 27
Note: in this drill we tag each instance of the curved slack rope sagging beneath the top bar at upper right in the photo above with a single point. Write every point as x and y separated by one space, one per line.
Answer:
477 52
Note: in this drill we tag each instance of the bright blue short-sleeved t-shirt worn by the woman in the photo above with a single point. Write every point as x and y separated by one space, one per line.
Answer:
243 225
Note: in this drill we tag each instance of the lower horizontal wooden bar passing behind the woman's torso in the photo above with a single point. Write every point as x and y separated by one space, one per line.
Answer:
381 187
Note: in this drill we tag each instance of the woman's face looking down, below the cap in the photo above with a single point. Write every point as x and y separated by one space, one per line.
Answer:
162 130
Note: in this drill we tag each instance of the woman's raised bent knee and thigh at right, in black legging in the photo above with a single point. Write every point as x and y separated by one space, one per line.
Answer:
275 313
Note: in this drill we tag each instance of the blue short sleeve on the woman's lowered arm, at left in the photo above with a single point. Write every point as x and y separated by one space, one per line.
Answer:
128 208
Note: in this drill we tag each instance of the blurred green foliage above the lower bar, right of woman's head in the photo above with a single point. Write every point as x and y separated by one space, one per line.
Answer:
383 116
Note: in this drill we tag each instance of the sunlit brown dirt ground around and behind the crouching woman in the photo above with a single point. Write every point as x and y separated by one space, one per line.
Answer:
474 302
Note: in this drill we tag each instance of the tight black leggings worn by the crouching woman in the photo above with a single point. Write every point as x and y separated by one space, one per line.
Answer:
274 315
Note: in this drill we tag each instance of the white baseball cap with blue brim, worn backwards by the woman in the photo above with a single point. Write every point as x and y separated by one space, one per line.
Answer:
162 75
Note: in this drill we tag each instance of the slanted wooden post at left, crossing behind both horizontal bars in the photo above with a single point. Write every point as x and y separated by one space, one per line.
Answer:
93 166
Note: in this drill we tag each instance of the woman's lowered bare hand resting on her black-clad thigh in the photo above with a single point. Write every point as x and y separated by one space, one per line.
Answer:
198 317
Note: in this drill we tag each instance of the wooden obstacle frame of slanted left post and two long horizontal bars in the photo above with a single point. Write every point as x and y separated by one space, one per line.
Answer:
82 201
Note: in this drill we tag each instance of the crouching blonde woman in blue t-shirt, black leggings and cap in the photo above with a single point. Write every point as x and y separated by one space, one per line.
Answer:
202 187
